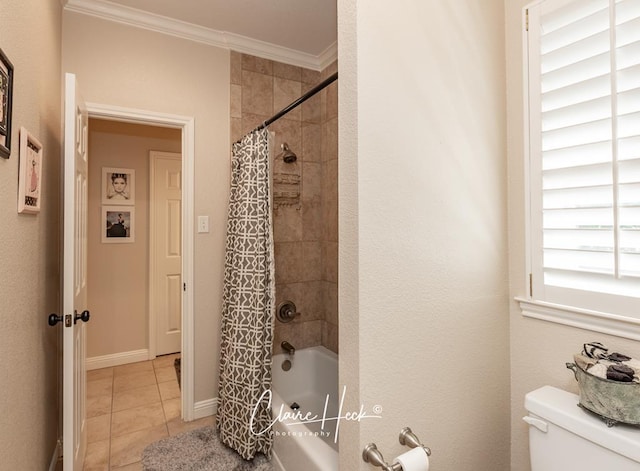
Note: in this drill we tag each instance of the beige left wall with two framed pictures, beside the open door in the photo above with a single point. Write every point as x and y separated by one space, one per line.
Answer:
29 279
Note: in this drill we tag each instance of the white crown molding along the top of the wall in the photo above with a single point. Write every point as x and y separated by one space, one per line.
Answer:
110 11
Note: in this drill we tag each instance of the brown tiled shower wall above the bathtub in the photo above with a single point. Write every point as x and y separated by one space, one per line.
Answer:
305 235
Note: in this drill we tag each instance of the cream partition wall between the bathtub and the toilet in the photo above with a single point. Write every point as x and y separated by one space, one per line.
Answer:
423 246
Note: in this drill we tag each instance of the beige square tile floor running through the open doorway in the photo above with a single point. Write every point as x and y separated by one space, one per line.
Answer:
129 407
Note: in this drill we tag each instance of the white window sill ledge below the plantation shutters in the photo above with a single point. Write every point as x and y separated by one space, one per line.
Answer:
610 324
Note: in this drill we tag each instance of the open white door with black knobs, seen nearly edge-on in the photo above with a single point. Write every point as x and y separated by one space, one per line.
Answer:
74 302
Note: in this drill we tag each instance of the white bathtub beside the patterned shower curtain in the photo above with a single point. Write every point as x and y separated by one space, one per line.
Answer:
312 383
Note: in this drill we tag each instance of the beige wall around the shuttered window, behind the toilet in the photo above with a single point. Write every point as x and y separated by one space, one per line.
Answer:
539 349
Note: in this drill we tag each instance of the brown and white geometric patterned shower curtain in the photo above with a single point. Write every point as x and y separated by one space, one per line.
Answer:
248 303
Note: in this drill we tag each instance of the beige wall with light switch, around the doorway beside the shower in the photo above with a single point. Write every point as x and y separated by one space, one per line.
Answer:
134 68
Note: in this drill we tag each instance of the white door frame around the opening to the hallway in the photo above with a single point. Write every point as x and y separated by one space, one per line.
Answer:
187 125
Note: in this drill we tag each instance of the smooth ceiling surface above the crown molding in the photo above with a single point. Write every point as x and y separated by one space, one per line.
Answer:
306 27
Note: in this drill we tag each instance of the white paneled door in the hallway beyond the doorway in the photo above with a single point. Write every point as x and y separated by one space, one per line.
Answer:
166 249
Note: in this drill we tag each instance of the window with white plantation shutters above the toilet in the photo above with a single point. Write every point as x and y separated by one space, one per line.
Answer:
583 156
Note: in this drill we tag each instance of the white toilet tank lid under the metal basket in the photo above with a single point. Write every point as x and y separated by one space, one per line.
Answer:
561 408
